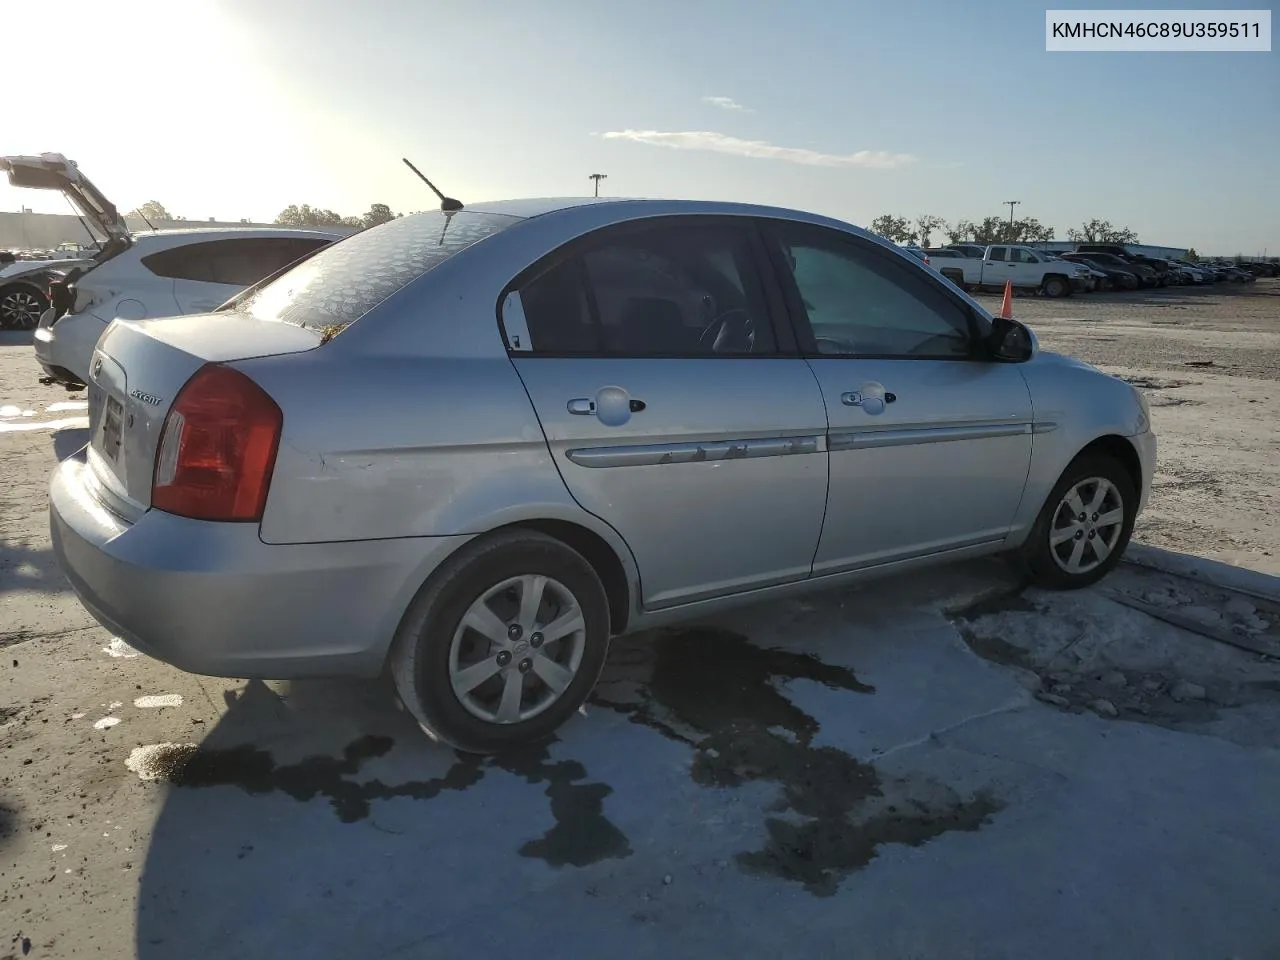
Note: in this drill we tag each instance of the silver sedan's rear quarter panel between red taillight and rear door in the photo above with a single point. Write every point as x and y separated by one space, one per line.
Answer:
396 446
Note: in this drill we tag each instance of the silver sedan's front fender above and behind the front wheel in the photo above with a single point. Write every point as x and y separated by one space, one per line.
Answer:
1075 405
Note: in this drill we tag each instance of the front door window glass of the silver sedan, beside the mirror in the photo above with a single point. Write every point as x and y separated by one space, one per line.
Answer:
862 304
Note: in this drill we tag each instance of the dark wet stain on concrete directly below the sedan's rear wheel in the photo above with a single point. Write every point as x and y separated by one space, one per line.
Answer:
583 835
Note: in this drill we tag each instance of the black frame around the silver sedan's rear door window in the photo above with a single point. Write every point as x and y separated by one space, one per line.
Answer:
772 298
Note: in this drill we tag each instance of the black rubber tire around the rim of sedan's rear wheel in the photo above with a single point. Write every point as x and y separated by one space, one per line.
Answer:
420 655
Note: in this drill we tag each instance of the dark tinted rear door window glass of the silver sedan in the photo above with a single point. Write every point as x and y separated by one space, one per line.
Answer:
666 291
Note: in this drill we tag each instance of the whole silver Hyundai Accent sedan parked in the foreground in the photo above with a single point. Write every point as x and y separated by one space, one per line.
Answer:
473 446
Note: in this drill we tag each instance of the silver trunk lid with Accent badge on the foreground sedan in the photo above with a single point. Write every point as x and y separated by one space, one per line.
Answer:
138 372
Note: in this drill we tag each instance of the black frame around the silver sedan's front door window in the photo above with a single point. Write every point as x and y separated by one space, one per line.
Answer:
799 317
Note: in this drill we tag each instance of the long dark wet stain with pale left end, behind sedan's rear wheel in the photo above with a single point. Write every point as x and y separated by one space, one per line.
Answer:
255 772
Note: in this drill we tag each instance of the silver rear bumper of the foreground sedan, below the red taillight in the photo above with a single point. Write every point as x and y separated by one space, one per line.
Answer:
214 600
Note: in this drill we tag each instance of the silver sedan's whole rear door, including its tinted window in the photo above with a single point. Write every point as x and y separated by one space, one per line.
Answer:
675 405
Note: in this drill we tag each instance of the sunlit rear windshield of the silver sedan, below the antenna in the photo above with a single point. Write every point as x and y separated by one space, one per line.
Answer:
346 281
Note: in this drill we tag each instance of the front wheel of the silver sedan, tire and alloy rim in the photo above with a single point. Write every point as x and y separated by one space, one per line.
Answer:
1085 527
